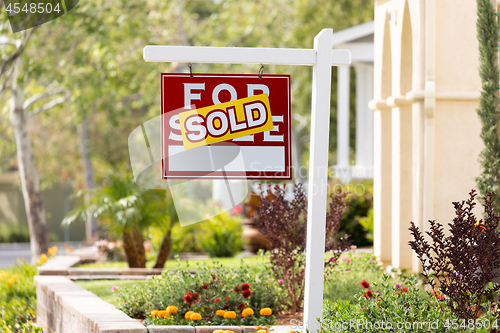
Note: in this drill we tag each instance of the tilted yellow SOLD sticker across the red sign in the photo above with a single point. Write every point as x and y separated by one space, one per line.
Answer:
225 121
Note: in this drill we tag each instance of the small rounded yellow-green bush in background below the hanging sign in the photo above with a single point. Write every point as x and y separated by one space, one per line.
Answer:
221 235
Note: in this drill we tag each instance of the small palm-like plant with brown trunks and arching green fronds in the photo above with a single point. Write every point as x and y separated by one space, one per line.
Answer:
126 210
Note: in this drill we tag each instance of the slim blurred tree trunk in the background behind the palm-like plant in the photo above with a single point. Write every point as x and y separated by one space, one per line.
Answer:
88 177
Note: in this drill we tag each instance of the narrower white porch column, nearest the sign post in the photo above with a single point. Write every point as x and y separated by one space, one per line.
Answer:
343 85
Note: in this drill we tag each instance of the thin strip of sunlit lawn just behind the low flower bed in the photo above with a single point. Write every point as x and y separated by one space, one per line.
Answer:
253 262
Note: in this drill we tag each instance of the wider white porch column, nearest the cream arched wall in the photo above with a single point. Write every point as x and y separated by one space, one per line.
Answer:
364 121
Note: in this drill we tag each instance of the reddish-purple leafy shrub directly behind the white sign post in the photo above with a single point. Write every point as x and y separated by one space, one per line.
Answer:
284 224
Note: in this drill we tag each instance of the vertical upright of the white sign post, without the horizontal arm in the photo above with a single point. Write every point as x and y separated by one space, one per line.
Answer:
318 177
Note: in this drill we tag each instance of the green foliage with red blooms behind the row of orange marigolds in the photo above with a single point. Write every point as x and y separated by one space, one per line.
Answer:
211 282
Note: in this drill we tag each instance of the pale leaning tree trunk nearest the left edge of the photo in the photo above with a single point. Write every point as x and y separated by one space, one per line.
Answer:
35 211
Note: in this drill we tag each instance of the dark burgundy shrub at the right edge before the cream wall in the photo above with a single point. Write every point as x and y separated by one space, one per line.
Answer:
464 263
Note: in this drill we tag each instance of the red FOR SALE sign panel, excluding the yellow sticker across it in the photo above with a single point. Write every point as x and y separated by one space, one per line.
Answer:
265 155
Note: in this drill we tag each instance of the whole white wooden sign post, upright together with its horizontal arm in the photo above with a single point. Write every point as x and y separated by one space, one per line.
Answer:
322 58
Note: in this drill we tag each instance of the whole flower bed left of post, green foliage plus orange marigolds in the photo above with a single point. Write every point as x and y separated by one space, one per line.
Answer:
214 296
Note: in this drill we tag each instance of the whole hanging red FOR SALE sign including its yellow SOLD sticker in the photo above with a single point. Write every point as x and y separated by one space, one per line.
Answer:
205 117
